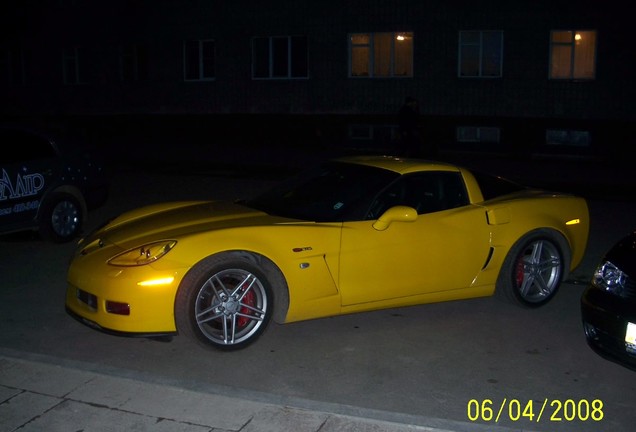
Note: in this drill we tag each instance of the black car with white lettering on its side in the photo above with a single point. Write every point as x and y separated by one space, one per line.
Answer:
47 183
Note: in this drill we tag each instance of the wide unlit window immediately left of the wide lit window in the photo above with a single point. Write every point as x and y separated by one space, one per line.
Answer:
280 57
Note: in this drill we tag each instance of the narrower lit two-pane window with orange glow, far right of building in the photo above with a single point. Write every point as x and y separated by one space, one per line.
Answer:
573 54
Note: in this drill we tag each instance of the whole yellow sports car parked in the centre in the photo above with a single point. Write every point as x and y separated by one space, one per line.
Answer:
349 235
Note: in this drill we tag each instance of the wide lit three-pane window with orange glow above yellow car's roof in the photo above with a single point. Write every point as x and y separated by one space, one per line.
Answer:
380 55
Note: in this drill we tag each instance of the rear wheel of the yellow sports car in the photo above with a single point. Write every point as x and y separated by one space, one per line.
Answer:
533 269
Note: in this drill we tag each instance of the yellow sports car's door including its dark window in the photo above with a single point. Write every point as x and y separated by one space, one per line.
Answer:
443 249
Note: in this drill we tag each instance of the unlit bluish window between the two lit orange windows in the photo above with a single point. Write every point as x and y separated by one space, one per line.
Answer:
480 53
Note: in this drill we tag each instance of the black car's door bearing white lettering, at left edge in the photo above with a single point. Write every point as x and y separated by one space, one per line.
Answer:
25 172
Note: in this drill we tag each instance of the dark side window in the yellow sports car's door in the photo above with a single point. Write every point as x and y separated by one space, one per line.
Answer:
426 192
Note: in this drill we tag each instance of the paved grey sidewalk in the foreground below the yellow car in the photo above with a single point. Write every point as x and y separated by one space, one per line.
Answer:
39 393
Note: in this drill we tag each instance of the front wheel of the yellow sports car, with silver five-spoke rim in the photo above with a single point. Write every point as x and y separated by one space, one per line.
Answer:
225 302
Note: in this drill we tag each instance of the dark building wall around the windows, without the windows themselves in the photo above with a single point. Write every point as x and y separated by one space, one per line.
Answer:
43 29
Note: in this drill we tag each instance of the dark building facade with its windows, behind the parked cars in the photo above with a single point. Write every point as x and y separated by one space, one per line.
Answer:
520 77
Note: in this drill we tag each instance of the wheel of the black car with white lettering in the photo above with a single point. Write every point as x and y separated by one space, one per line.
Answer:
61 218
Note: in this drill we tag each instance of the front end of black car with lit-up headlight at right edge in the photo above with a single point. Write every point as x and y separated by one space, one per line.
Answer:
608 304
